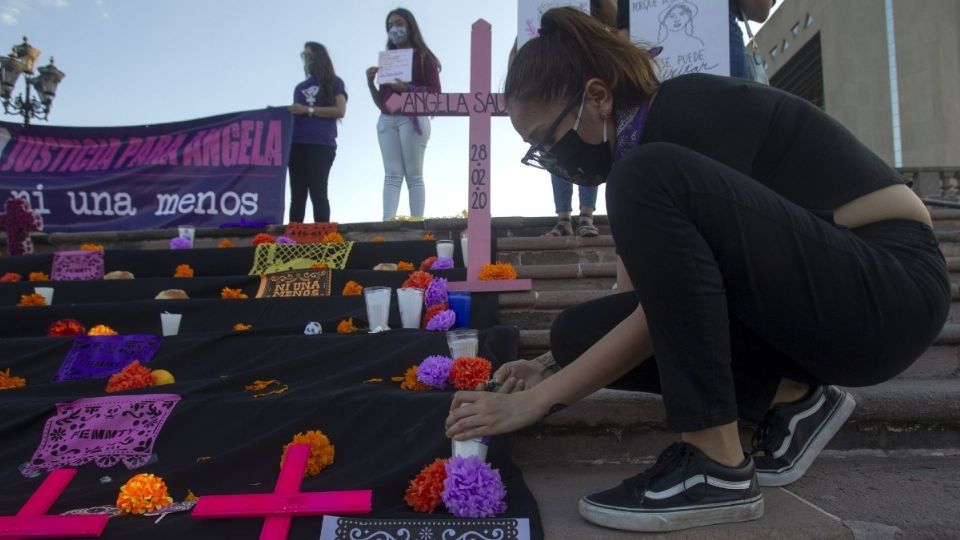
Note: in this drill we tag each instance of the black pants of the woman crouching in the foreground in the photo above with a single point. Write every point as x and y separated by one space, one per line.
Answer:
742 287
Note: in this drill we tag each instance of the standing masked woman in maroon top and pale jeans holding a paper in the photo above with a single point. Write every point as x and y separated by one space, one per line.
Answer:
403 139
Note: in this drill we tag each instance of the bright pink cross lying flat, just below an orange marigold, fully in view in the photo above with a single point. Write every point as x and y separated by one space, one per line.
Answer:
286 501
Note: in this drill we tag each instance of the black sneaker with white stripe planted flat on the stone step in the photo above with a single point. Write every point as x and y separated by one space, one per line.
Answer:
683 489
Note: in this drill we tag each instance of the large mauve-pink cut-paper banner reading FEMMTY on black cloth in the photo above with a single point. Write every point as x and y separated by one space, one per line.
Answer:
105 430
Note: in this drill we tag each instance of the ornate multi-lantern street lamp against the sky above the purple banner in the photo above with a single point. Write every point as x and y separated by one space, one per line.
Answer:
23 59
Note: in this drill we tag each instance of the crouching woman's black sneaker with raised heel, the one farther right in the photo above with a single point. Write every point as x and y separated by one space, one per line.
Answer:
792 435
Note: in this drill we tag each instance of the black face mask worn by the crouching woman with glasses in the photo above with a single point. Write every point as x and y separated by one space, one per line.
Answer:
572 158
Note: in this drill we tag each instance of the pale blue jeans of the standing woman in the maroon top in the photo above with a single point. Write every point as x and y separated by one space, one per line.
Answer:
402 149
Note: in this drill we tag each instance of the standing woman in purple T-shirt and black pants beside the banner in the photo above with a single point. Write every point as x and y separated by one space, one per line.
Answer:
318 102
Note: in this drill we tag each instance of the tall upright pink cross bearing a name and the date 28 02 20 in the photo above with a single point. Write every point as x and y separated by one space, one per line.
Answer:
480 104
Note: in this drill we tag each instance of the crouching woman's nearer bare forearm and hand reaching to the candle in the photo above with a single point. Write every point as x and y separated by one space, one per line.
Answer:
478 414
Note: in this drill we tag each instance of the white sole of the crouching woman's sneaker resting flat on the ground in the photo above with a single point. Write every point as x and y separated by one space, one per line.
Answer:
672 519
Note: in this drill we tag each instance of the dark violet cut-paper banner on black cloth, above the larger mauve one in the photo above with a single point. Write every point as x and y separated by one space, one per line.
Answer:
98 357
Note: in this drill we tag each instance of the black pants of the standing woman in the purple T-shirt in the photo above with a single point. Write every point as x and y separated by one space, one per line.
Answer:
309 172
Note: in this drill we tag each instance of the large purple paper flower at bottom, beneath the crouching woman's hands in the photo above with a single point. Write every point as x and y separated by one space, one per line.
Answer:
473 489
